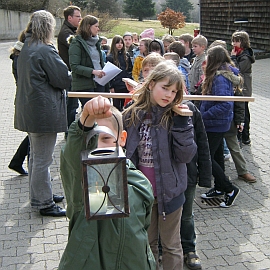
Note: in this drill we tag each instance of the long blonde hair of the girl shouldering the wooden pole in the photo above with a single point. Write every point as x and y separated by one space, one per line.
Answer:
142 96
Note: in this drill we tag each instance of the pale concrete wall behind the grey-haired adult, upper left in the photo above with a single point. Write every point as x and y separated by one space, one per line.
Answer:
13 22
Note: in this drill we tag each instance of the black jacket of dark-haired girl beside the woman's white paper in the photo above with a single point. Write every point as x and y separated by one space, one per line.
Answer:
117 82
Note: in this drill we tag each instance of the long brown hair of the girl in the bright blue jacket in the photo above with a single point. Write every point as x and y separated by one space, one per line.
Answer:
217 58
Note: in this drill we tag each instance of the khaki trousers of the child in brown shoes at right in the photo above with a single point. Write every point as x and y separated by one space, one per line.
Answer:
236 153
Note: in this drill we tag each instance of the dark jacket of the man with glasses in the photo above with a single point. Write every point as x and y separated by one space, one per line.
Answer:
66 30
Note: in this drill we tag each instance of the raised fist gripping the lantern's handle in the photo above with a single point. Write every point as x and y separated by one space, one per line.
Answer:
97 108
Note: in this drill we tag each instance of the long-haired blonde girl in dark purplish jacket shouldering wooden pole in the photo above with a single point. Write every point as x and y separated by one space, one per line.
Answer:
160 143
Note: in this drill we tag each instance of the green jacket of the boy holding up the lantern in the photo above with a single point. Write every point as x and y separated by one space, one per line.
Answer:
111 244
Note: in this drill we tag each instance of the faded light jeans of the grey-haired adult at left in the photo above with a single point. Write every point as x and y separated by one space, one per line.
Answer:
41 157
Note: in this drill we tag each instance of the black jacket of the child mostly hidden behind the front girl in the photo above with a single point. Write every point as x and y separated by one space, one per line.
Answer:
199 170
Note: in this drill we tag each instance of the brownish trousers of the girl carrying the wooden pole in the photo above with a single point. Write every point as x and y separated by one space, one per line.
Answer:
169 232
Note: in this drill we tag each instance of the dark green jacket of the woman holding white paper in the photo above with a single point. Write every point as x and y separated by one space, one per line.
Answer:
81 64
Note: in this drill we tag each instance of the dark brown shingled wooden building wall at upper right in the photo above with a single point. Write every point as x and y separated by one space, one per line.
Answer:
218 16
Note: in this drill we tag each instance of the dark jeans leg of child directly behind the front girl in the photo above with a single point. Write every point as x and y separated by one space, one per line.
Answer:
187 230
